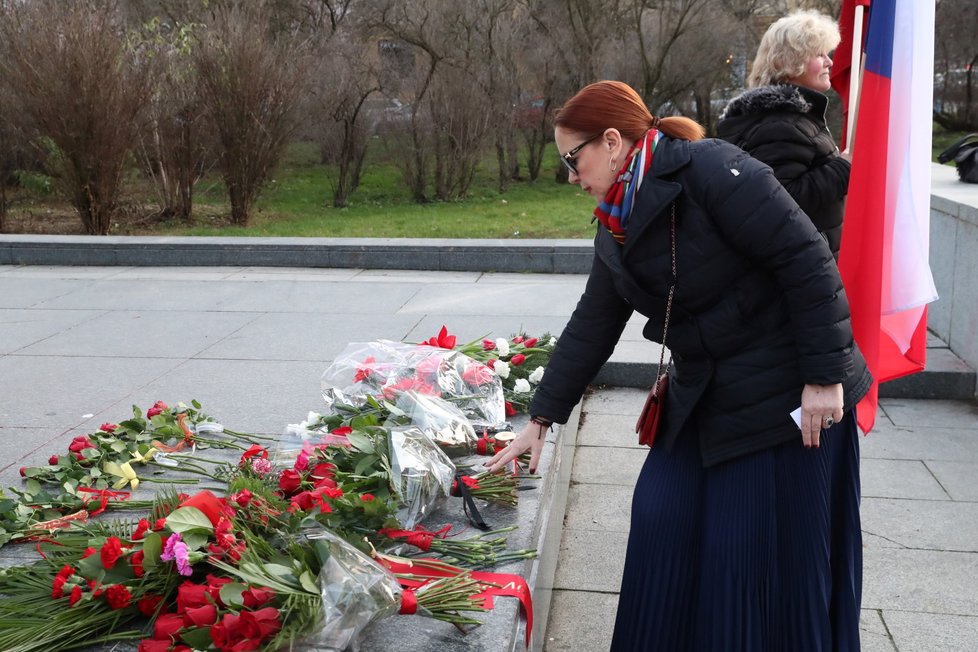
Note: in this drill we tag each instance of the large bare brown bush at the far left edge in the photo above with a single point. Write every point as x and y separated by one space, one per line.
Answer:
82 89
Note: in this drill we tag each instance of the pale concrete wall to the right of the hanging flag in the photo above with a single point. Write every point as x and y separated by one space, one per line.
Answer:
954 262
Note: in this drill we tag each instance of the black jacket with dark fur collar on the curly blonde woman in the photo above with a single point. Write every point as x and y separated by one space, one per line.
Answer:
784 126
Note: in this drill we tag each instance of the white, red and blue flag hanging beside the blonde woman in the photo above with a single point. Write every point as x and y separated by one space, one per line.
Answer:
885 235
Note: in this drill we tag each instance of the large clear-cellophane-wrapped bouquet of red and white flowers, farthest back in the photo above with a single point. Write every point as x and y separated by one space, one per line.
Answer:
384 369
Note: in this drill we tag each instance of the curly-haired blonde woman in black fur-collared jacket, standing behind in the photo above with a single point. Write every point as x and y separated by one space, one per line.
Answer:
781 119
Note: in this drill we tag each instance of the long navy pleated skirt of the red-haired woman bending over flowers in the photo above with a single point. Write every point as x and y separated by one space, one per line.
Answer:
759 554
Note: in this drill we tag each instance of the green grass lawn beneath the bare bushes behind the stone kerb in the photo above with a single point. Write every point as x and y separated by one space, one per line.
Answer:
298 202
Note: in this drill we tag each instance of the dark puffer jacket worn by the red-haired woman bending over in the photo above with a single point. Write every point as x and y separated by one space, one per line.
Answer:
759 309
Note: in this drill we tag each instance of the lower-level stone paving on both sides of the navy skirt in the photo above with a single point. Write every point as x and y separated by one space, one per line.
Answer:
919 514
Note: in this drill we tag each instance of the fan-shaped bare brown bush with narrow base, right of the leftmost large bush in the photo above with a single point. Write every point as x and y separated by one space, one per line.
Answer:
250 83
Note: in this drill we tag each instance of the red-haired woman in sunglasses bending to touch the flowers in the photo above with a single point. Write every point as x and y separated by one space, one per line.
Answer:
745 523
